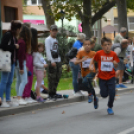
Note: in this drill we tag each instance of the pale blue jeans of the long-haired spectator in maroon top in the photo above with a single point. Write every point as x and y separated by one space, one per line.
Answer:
22 79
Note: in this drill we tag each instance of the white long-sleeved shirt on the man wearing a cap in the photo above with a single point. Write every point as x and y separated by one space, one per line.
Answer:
51 44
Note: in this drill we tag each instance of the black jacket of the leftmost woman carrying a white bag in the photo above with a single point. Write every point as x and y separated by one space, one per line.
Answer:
7 44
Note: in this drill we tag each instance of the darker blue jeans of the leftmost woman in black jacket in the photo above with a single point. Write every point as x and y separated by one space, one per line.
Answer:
6 82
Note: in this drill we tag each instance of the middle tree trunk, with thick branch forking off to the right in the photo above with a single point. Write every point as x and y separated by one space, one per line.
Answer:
87 18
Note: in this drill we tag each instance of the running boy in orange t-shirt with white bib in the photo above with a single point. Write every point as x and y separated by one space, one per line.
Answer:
84 57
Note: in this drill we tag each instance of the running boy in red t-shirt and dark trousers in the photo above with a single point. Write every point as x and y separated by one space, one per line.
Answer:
106 59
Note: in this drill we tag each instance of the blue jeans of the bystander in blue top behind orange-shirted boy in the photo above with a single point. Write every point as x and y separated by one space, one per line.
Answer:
75 71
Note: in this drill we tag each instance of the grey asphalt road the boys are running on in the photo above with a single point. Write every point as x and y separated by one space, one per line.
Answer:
76 118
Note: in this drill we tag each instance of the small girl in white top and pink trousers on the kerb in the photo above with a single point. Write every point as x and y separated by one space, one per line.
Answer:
39 64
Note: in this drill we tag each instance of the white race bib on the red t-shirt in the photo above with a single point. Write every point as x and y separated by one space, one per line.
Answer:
106 66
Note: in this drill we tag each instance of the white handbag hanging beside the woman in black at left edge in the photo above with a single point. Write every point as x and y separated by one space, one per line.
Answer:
5 61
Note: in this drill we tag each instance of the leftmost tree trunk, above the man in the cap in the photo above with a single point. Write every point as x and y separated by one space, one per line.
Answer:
47 11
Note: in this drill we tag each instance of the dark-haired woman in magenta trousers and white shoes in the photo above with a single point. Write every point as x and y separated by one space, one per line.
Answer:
29 64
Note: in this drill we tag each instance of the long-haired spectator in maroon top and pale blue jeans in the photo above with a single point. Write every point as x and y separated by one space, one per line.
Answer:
21 70
